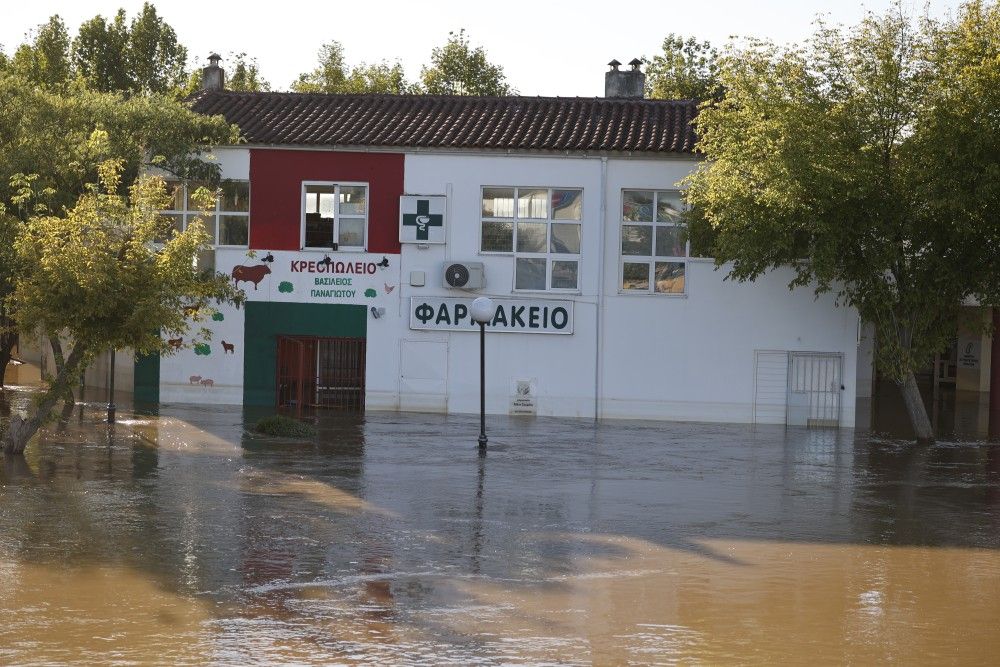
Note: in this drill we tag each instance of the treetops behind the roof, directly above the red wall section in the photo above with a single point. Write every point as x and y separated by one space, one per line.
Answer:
332 75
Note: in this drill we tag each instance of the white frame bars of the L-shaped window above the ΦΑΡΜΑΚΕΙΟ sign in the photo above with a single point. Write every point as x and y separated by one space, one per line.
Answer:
549 256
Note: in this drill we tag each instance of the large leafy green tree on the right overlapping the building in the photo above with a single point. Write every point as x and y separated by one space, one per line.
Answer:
869 162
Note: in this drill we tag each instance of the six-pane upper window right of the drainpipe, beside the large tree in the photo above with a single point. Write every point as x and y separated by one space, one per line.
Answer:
653 250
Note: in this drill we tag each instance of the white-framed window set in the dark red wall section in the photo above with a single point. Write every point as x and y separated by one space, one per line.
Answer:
334 215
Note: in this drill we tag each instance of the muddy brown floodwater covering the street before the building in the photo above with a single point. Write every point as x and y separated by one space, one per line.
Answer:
178 539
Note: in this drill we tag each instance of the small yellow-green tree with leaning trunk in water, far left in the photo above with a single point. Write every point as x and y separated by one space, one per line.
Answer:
93 279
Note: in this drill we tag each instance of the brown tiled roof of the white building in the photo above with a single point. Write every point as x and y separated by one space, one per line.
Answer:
432 121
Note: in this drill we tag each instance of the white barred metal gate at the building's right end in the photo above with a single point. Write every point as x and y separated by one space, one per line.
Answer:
815 385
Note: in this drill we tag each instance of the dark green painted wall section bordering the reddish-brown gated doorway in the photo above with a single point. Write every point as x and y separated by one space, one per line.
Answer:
265 321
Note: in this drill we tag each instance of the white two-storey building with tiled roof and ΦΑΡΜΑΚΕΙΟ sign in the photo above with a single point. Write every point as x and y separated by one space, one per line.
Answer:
569 205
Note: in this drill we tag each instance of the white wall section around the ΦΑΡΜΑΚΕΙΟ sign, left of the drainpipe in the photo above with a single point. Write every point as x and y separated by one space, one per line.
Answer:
562 366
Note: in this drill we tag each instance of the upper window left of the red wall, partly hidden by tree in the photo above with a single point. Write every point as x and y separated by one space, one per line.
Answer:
228 224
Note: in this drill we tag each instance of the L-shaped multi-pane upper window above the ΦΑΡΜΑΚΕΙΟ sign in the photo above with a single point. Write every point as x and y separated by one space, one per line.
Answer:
541 228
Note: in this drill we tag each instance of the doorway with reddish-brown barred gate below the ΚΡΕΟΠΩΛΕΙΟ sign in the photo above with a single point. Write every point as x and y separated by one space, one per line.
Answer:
316 372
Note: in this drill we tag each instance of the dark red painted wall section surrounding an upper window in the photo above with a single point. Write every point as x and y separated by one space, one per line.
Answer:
276 193
